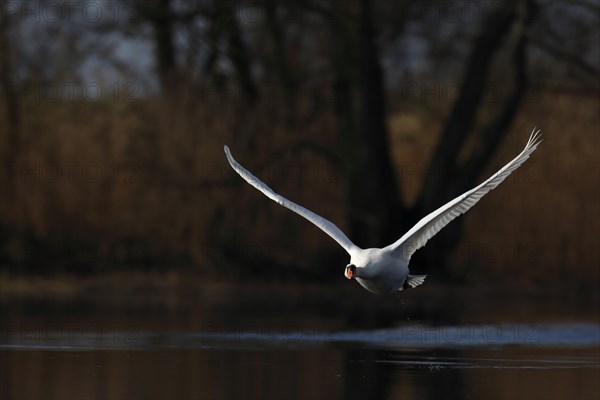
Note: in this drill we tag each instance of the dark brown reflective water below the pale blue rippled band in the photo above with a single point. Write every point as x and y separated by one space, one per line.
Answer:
340 372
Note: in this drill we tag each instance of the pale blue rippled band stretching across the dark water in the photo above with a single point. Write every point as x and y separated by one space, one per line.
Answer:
412 335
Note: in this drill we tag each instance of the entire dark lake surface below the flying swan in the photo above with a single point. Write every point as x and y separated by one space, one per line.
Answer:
292 342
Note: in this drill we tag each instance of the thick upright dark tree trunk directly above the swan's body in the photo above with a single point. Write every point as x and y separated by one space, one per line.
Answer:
372 193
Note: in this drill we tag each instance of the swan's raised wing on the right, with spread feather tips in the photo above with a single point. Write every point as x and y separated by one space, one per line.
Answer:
427 227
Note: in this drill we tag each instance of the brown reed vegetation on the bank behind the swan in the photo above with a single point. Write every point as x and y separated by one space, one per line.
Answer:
105 186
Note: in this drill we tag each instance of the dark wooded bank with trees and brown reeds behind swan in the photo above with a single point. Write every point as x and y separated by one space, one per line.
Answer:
372 114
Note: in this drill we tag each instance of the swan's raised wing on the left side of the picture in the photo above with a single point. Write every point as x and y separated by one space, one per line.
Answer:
326 226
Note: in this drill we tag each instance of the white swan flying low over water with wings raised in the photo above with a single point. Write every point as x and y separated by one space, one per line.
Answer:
385 270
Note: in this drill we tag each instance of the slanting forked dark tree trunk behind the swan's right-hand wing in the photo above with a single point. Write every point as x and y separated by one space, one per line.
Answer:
446 178
